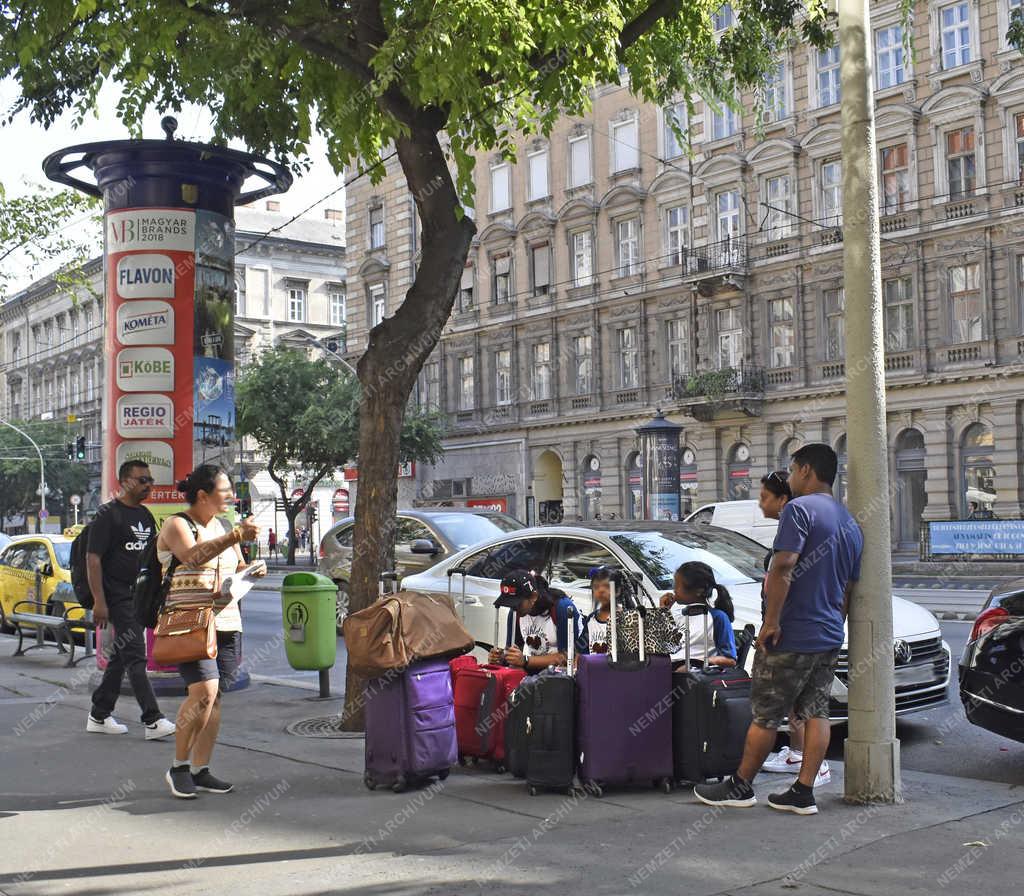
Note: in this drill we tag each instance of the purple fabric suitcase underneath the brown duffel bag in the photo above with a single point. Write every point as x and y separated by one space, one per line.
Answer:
411 727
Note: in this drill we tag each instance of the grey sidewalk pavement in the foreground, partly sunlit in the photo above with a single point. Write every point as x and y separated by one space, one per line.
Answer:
91 815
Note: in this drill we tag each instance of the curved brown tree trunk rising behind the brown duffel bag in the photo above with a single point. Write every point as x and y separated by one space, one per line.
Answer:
389 369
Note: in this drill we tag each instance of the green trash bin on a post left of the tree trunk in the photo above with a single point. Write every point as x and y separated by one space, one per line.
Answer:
309 606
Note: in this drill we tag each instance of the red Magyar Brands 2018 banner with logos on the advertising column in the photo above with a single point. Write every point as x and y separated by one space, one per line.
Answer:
150 293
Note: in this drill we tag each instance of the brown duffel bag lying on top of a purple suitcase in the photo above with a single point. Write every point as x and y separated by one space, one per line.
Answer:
402 628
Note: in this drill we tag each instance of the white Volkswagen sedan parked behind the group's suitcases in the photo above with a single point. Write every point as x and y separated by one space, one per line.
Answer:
566 556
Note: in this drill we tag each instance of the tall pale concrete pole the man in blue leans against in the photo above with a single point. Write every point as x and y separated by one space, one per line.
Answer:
872 751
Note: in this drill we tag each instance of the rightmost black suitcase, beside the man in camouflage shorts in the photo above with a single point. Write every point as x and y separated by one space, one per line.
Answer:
711 713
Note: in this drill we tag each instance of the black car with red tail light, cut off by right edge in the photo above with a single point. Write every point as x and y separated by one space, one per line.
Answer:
992 671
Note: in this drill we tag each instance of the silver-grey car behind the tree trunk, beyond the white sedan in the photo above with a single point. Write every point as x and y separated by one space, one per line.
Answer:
423 538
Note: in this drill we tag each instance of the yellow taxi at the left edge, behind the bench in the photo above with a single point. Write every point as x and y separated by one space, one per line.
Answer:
36 568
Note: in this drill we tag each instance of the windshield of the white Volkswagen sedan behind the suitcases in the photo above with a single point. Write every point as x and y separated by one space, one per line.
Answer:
736 561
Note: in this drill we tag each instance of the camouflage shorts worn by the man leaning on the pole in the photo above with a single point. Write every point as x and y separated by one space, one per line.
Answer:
791 684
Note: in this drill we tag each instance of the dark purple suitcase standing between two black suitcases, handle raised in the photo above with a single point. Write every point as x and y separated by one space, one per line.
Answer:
625 718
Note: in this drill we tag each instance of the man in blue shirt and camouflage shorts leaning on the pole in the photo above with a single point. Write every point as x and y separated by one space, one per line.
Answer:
816 563
